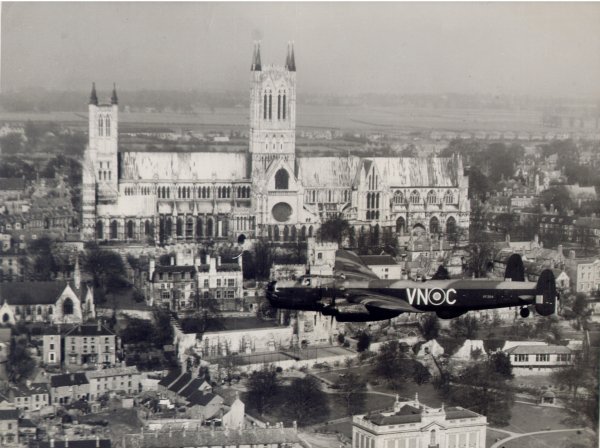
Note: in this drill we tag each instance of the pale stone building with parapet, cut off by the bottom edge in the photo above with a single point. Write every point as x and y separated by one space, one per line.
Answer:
413 425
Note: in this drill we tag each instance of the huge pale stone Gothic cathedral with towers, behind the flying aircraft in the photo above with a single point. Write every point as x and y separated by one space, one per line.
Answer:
172 197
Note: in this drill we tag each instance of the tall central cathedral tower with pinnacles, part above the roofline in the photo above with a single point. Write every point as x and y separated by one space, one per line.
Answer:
272 111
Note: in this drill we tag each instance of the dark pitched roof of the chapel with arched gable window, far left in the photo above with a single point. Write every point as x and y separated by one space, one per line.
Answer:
31 293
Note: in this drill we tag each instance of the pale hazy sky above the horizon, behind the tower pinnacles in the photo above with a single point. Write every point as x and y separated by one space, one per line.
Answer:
499 48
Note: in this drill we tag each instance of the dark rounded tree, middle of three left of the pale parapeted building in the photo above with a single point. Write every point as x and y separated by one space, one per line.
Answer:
305 401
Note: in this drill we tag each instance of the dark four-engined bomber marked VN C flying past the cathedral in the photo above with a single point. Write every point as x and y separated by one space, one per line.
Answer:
356 294
